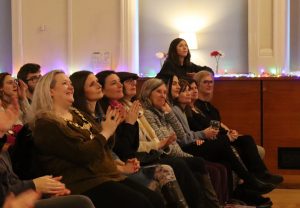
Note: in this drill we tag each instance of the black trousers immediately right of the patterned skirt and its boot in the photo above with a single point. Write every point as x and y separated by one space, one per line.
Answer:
187 179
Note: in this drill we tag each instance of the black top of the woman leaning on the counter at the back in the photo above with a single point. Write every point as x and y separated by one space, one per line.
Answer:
170 67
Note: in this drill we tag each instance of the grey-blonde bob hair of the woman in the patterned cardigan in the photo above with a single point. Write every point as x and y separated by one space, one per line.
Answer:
147 88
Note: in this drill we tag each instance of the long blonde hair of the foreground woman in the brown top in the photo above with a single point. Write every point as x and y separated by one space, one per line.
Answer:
42 103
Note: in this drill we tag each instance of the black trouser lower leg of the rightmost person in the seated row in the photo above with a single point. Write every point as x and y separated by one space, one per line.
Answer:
248 152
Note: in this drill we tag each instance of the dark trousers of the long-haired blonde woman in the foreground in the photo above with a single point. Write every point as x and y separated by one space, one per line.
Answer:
126 193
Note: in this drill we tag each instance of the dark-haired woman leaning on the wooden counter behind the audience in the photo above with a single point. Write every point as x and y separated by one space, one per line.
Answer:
178 60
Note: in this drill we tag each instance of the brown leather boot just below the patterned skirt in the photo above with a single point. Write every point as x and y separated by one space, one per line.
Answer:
173 195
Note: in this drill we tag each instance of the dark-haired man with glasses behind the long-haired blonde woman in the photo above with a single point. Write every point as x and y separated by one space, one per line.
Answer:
30 74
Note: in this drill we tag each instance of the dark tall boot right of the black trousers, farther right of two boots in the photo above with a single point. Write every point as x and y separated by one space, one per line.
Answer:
210 196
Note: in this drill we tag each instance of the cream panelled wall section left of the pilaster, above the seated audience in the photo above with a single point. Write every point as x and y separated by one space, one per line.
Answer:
65 33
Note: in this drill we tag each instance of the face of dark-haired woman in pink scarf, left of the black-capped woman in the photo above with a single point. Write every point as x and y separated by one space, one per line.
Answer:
113 88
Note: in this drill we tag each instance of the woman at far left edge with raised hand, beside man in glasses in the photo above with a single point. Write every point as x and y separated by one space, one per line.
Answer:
10 88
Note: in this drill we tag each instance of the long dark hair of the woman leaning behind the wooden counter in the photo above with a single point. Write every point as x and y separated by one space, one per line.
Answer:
173 56
